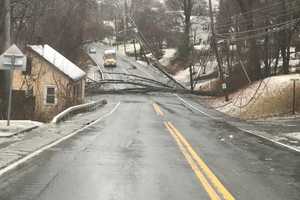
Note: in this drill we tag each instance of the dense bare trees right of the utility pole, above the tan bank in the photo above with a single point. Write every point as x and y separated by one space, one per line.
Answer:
258 35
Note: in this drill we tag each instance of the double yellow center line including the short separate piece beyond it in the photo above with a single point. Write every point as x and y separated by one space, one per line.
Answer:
212 185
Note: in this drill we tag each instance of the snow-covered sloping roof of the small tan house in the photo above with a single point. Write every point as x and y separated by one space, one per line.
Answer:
59 61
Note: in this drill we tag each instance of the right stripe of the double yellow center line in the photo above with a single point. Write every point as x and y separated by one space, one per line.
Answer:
209 174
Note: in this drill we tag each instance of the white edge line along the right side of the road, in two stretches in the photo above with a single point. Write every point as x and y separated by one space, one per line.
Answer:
244 130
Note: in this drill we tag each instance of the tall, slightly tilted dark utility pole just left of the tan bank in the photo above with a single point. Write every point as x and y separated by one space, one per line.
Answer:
215 47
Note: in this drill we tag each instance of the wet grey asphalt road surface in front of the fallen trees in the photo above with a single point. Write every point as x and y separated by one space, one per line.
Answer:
154 147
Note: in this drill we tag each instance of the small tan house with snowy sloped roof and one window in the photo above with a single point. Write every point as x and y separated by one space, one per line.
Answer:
52 80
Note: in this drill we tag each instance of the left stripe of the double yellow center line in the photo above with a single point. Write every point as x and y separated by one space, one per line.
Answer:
209 189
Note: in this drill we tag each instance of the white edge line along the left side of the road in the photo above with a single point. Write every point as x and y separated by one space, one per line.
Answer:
41 150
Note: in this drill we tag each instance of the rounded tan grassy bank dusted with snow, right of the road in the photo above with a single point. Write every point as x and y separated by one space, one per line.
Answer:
262 99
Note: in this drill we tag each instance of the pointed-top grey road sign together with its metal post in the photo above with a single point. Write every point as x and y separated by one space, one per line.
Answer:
12 59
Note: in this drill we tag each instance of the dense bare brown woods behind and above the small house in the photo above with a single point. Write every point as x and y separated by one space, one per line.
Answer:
63 24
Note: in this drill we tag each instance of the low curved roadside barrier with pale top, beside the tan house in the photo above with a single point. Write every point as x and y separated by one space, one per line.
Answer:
77 109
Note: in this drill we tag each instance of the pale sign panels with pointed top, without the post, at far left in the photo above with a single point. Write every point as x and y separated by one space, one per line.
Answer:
13 59
